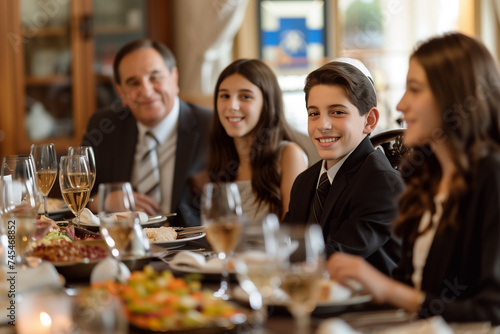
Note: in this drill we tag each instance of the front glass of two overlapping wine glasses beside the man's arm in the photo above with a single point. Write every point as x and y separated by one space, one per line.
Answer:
74 179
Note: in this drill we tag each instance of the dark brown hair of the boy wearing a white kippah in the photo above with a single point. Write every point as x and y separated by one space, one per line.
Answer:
359 89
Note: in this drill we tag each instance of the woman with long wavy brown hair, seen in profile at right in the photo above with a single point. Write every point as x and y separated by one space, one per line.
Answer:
450 212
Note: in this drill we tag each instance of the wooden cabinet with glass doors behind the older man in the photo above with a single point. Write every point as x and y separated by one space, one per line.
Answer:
56 63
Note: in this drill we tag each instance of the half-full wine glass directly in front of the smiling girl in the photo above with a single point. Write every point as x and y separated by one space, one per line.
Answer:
222 216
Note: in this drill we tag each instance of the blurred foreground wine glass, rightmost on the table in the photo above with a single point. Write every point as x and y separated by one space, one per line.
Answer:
302 263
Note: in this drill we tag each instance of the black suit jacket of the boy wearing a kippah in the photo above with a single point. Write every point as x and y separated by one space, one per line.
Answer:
359 208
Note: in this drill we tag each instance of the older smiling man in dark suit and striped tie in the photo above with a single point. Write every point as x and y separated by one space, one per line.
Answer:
156 141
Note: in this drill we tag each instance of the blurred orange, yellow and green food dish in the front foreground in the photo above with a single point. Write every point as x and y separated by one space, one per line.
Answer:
174 305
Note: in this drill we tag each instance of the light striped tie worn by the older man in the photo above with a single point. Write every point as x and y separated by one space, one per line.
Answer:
149 172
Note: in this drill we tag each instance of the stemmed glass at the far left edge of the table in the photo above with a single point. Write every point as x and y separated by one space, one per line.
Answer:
20 202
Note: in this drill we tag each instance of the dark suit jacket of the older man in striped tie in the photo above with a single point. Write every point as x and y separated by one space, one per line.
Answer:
113 135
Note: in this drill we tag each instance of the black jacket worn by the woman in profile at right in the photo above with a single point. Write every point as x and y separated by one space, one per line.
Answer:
461 276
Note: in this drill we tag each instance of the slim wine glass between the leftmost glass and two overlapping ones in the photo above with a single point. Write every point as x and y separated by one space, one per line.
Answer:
45 159
